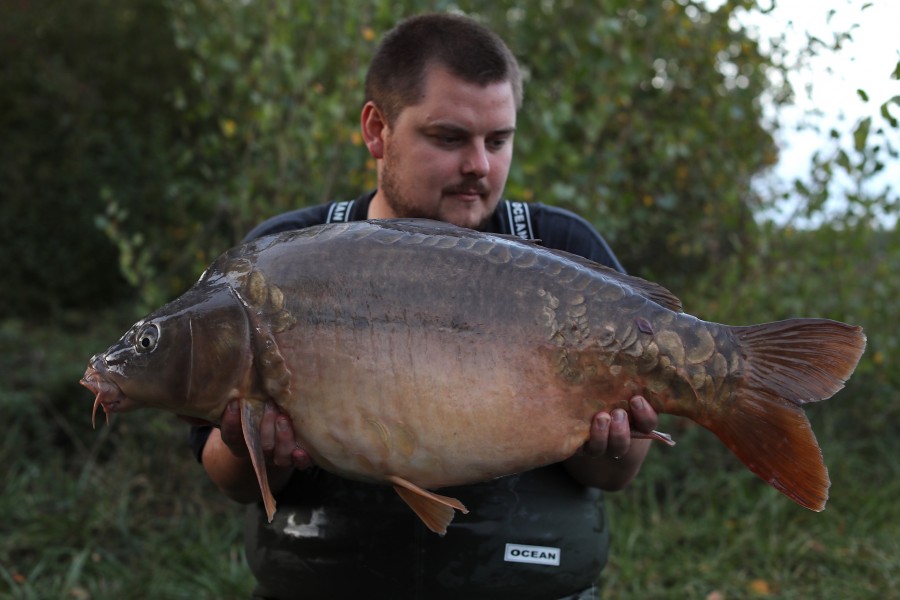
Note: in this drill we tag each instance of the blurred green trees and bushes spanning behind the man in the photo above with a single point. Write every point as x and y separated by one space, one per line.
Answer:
153 134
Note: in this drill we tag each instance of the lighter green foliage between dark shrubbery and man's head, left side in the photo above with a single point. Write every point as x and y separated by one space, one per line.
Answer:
283 82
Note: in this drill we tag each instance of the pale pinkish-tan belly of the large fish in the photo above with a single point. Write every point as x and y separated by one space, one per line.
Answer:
435 409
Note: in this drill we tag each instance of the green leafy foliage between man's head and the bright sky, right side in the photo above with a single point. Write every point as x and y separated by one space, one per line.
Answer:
654 131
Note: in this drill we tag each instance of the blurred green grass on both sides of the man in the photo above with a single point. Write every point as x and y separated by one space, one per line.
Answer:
124 511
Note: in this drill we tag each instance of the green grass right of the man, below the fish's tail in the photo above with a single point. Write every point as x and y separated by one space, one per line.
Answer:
697 525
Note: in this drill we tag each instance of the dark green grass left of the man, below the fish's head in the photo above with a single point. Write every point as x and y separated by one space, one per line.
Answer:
112 513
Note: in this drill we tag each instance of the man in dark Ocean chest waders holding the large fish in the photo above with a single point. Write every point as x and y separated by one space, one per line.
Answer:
439 118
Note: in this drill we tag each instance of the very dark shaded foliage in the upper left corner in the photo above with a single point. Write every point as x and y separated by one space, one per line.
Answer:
84 106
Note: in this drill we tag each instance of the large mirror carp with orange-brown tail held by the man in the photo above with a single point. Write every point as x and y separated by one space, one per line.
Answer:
422 355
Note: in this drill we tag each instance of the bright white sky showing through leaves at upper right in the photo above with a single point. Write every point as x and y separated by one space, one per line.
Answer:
866 62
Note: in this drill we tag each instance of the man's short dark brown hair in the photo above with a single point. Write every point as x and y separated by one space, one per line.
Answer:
465 48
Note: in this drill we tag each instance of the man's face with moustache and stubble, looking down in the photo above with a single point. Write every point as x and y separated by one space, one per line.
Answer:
448 157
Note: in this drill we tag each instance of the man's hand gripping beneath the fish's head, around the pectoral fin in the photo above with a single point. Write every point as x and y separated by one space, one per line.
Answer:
276 436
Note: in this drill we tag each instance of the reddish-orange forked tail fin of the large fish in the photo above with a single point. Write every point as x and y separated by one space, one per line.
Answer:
788 364
